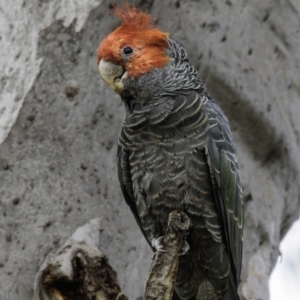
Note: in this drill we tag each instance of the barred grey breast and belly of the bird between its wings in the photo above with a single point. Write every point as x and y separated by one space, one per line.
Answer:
168 165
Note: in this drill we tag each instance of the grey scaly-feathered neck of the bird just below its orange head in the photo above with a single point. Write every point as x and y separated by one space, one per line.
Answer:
177 77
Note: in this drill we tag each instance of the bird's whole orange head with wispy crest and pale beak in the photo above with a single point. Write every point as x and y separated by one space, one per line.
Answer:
133 49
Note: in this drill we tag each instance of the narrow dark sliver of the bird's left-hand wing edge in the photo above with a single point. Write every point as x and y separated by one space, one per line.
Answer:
126 185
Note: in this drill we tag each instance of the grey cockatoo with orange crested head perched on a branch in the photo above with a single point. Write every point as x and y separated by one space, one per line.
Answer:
175 151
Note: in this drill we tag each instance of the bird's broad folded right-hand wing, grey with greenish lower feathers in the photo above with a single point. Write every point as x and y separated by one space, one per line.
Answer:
222 160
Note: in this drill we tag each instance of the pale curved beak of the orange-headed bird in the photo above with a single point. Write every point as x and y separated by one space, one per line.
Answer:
112 75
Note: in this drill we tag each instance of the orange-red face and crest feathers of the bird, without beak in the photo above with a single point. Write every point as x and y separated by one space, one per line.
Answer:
139 32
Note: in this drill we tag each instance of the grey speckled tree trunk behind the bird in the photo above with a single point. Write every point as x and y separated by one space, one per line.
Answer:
59 126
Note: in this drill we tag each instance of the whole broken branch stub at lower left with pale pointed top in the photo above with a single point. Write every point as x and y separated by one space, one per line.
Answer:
77 270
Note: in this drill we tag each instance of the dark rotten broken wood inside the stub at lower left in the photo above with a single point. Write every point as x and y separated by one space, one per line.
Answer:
92 278
